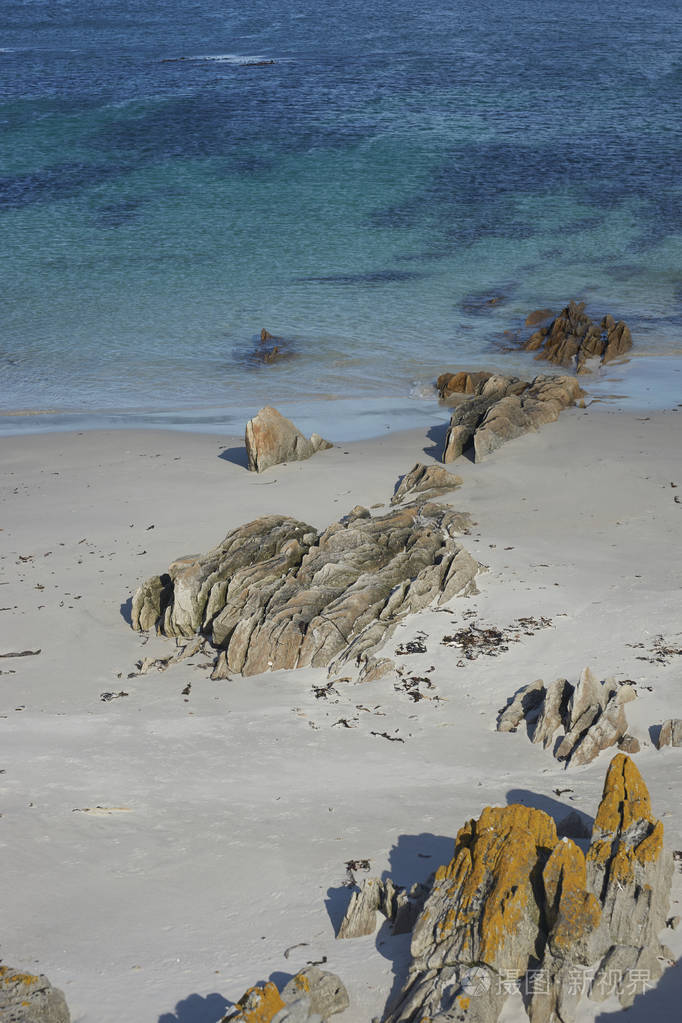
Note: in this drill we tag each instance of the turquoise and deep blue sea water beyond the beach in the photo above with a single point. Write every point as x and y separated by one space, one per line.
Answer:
164 195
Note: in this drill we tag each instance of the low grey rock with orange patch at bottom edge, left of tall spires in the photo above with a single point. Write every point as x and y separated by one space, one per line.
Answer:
311 997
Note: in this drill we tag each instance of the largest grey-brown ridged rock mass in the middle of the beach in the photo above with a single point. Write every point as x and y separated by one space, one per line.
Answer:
277 594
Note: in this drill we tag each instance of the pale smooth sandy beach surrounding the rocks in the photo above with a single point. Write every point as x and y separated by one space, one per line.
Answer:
167 848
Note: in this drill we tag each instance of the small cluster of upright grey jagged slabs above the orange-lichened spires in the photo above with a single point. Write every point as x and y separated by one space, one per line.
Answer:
592 715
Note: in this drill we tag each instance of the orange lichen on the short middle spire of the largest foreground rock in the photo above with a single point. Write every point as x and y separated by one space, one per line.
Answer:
574 912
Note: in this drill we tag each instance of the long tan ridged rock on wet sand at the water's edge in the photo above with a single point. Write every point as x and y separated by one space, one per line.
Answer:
503 409
